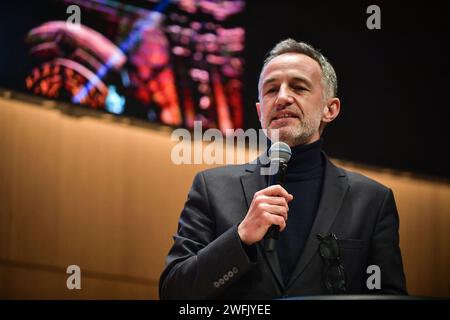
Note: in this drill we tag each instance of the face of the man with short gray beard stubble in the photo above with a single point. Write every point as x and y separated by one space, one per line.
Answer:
291 98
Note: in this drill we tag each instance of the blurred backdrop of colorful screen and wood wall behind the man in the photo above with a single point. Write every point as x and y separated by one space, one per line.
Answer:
87 112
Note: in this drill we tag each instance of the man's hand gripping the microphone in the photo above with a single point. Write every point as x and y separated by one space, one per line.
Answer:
269 206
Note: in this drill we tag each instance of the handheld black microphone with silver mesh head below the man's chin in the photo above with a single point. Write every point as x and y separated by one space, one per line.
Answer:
279 155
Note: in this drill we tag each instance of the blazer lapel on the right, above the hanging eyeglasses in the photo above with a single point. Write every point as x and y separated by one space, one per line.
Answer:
335 186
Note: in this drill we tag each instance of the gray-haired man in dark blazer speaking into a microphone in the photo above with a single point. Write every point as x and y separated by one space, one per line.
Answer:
333 224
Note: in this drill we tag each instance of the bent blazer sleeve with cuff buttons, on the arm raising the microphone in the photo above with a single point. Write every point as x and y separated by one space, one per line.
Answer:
201 264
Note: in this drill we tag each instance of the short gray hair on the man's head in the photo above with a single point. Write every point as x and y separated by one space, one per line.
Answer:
329 78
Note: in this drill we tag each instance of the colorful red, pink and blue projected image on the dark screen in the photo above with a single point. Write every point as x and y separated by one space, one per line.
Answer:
173 62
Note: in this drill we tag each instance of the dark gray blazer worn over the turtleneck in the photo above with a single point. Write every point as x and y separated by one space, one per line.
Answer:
208 260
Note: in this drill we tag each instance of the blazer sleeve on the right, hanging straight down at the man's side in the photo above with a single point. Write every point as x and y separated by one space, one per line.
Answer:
385 250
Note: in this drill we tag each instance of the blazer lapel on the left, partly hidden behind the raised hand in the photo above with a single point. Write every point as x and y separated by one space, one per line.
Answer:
252 182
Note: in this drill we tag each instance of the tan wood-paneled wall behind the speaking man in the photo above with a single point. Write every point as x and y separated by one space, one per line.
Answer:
104 195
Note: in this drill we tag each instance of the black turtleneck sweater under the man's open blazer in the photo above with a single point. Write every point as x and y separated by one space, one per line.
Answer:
304 178
